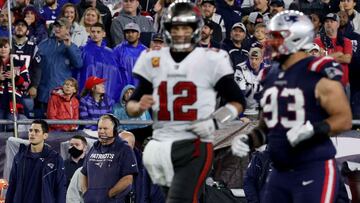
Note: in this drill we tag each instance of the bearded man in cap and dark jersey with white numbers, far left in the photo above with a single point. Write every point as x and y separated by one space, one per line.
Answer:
25 52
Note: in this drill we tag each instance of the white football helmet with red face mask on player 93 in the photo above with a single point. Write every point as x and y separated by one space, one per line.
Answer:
289 32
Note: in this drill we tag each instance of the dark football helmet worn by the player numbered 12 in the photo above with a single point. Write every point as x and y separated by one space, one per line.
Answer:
182 12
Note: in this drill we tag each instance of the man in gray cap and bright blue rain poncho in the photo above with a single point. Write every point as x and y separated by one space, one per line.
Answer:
129 51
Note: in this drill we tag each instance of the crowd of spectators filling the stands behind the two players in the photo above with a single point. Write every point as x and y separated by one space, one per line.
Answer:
73 59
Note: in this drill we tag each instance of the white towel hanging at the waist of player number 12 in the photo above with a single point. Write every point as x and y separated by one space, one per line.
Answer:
157 161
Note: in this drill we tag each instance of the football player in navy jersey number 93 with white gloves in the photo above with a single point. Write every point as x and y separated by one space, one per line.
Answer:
303 104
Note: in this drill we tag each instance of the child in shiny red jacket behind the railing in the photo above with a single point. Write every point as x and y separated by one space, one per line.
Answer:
64 105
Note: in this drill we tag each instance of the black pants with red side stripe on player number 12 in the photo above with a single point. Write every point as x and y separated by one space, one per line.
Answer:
192 161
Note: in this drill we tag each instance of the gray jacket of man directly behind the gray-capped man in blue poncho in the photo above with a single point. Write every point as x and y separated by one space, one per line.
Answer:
118 24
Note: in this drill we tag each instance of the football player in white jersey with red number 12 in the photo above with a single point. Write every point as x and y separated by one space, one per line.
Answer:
180 84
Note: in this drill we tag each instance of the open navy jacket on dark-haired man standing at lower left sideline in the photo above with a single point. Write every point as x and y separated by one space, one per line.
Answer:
53 179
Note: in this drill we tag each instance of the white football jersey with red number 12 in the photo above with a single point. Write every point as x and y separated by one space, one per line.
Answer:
184 92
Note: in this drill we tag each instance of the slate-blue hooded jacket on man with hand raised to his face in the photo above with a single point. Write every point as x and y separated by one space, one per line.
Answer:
57 60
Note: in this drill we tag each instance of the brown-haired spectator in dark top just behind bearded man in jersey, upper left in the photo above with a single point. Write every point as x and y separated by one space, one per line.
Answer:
37 28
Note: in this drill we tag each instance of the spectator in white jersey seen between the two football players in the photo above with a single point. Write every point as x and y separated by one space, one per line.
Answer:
246 76
